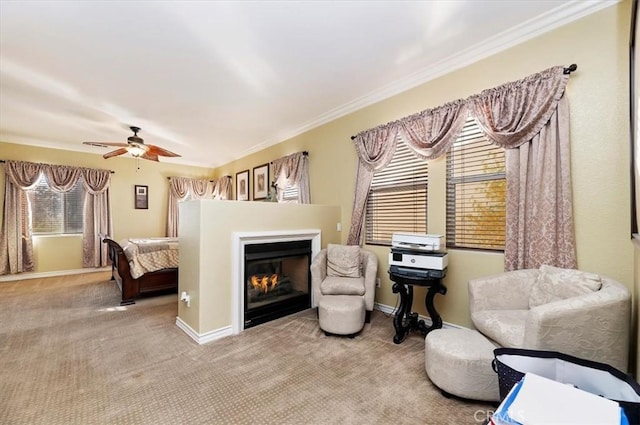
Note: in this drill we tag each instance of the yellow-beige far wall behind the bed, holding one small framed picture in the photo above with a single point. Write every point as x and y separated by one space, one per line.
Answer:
56 253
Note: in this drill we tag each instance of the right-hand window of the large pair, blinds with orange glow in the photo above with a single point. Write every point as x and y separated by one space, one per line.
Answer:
476 188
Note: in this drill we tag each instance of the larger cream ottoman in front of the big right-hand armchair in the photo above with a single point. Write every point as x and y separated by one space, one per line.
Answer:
458 361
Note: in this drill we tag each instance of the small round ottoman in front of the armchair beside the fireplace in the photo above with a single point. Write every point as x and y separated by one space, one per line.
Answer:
341 314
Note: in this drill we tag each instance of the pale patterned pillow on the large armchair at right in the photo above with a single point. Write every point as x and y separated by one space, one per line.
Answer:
554 284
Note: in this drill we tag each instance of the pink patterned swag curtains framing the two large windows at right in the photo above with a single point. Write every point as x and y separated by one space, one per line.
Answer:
530 119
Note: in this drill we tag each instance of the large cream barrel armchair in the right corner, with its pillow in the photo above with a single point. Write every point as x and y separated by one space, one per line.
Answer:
573 312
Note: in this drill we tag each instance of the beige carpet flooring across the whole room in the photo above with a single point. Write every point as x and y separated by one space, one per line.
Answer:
69 354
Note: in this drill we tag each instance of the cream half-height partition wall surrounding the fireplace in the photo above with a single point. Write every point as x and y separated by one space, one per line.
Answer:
206 229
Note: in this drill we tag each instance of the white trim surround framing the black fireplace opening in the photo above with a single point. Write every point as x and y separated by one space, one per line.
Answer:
239 241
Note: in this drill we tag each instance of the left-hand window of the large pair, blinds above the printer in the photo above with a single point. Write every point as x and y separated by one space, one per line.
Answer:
397 198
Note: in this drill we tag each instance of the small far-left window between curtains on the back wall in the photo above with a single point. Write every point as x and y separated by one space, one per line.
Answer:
54 212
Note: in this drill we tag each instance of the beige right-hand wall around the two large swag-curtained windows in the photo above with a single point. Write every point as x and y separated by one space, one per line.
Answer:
598 99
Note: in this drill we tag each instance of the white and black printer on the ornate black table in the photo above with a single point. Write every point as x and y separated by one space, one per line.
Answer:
418 255
